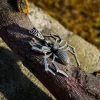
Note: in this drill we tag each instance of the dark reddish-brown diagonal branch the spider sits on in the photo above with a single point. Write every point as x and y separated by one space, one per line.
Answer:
14 29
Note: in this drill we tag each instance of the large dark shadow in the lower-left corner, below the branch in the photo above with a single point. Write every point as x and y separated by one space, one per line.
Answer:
14 85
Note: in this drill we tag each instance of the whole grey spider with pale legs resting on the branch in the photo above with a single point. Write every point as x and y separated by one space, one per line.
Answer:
52 49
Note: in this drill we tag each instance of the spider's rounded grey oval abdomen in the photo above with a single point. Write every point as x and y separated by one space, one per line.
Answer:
62 56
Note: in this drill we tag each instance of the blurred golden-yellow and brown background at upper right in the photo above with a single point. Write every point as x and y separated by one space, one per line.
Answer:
80 16
